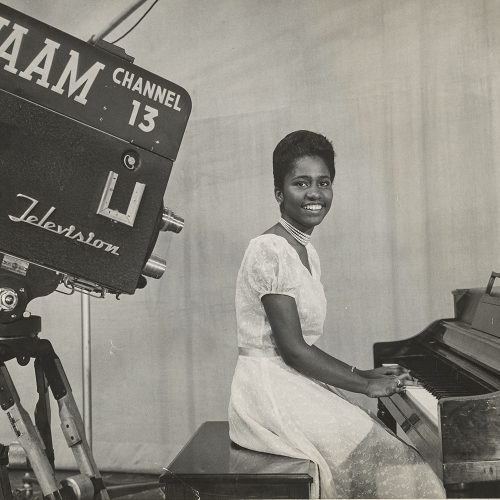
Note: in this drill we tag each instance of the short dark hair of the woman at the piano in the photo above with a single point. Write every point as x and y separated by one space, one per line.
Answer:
297 145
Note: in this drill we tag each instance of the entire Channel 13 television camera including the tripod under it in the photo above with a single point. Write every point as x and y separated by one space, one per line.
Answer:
87 145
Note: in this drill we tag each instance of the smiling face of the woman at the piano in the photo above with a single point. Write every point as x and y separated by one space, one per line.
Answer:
307 193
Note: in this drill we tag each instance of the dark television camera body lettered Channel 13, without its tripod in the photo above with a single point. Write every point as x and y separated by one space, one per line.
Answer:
87 145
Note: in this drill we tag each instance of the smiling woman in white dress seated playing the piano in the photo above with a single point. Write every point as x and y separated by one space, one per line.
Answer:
280 401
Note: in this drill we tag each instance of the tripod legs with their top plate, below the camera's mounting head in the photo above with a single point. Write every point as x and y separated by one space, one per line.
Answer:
20 340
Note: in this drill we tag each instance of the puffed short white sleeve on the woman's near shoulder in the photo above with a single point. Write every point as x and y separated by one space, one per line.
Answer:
270 267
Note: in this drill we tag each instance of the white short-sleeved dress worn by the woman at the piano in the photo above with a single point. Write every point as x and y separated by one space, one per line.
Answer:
275 409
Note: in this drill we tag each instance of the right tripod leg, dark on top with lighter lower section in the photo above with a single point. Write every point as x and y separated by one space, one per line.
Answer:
71 421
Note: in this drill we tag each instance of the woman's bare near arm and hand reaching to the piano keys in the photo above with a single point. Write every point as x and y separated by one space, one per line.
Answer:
283 316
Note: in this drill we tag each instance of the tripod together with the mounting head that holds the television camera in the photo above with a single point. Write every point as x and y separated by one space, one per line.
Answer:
19 339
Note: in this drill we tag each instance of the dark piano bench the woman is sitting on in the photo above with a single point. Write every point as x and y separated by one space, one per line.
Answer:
213 466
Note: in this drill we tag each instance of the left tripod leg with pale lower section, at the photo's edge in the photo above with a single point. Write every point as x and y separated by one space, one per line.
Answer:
27 435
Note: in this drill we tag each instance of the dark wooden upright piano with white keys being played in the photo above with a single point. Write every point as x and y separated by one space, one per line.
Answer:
453 419
